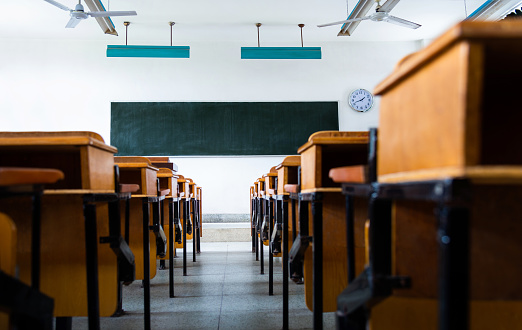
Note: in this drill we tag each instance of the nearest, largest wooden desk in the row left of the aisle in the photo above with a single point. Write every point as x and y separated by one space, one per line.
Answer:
71 205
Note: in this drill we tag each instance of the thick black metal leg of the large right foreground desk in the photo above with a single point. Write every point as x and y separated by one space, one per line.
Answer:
453 268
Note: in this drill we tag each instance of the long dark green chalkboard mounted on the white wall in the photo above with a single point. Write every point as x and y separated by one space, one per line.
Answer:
217 128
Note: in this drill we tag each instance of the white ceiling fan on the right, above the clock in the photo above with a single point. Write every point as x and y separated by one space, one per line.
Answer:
382 14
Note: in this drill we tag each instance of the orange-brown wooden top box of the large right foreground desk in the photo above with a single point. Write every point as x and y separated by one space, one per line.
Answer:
439 107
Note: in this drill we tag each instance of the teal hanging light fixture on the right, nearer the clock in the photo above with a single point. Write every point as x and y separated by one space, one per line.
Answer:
273 53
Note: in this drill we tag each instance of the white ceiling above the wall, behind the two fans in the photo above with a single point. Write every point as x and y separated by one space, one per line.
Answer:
211 21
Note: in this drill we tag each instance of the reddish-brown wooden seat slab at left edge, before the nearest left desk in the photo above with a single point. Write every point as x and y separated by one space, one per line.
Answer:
19 176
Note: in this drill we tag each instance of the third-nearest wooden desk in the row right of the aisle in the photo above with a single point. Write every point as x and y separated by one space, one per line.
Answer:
286 174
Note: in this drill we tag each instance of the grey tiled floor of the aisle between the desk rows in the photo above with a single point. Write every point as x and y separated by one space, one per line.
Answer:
223 290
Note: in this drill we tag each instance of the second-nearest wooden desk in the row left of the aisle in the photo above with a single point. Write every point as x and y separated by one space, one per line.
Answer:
138 170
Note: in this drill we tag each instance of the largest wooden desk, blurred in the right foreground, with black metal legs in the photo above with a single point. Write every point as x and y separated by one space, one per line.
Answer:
458 158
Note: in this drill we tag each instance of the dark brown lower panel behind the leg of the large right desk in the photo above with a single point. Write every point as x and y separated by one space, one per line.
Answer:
495 229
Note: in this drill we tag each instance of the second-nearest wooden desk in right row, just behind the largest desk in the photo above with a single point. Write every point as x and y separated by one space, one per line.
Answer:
325 267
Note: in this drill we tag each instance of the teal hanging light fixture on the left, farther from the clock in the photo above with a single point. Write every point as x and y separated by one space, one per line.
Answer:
148 51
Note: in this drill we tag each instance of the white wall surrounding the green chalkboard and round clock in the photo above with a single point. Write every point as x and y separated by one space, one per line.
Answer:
69 85
